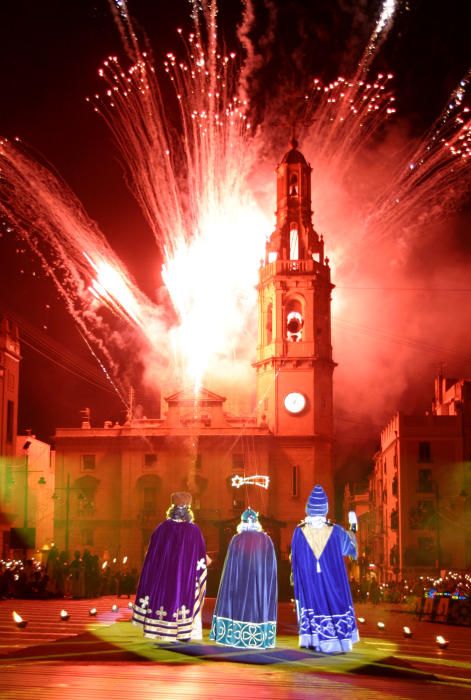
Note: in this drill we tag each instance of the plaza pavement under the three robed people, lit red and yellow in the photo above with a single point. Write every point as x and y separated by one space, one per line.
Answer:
106 657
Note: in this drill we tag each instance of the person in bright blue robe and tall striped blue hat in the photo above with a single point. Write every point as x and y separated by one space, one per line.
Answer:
324 606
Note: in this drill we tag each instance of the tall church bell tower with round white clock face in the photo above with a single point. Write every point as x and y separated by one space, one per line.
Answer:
294 352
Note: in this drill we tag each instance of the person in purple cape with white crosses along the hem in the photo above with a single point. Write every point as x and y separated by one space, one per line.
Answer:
172 585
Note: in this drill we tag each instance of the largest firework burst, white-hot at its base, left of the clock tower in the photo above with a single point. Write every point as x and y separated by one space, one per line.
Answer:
191 185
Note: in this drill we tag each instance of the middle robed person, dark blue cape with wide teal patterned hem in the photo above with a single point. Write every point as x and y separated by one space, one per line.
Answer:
246 605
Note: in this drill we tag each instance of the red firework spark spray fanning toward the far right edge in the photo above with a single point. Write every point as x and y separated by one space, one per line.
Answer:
436 176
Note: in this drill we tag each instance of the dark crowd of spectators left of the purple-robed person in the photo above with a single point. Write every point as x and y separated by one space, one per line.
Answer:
80 576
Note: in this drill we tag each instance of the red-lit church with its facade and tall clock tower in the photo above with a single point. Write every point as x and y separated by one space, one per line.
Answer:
115 481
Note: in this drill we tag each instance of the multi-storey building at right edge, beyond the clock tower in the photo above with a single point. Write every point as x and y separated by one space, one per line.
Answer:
420 488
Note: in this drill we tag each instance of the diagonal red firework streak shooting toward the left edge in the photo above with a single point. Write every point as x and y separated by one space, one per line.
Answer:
47 215
